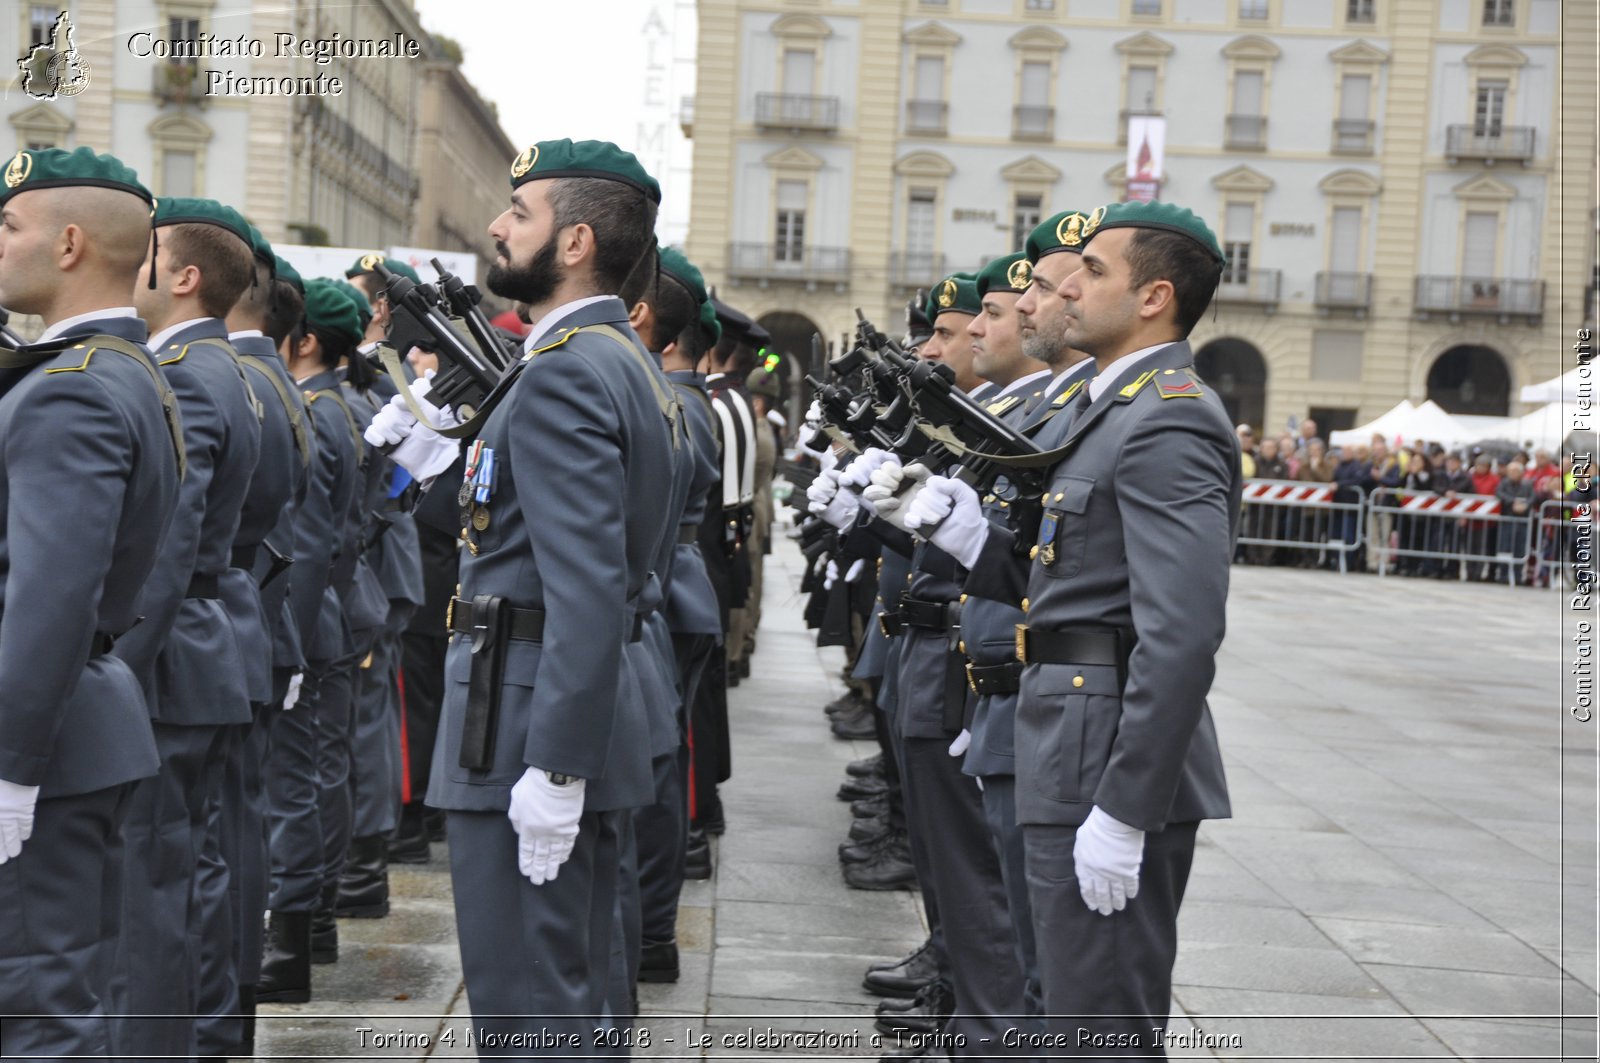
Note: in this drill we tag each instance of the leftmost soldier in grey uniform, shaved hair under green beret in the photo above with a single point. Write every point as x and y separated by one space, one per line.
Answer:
92 441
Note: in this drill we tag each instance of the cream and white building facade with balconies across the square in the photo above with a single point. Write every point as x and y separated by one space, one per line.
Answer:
1404 188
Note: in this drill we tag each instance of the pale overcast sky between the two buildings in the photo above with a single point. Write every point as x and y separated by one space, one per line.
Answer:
588 70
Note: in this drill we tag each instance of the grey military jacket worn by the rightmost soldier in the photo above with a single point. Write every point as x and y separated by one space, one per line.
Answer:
1140 526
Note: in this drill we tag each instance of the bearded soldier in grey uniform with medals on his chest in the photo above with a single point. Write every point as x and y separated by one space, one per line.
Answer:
543 744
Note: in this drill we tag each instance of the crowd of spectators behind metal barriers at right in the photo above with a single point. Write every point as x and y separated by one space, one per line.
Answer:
1444 545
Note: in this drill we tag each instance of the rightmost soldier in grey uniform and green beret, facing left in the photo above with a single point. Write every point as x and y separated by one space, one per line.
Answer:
1118 756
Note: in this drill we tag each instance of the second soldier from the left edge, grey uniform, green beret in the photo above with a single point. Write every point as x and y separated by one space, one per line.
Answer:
186 652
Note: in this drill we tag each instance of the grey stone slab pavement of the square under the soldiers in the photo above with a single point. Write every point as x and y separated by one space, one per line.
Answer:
1410 872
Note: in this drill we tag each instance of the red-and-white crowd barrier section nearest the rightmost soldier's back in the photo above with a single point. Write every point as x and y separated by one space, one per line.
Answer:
1302 516
